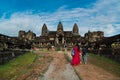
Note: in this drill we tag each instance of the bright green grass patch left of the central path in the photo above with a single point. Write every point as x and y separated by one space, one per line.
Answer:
14 67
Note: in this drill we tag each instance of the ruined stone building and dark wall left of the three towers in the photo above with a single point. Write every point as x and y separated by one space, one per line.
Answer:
24 40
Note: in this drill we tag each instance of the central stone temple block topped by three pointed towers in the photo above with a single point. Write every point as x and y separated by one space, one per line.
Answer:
58 37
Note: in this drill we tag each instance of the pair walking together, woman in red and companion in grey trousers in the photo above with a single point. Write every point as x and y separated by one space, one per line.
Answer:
78 54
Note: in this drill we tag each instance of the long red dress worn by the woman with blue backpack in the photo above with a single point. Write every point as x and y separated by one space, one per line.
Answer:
76 57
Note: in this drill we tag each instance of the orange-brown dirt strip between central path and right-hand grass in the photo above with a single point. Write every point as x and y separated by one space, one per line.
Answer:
91 72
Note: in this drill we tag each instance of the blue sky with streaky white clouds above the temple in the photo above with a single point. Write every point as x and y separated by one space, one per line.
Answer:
93 15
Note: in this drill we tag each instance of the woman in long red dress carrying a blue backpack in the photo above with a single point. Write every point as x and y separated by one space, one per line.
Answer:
76 57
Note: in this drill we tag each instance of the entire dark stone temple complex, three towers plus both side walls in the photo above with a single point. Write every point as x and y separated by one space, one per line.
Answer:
94 41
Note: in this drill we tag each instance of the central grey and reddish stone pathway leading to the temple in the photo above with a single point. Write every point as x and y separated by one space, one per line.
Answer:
60 69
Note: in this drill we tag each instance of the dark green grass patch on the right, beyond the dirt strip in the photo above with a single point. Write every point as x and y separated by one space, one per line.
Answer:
105 63
